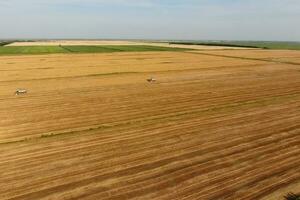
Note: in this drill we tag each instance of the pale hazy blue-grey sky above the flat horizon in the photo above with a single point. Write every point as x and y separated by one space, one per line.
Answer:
268 20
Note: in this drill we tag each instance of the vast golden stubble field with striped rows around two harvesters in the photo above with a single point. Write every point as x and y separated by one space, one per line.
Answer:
219 126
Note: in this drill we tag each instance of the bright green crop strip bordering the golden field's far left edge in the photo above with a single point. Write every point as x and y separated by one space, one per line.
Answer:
28 50
